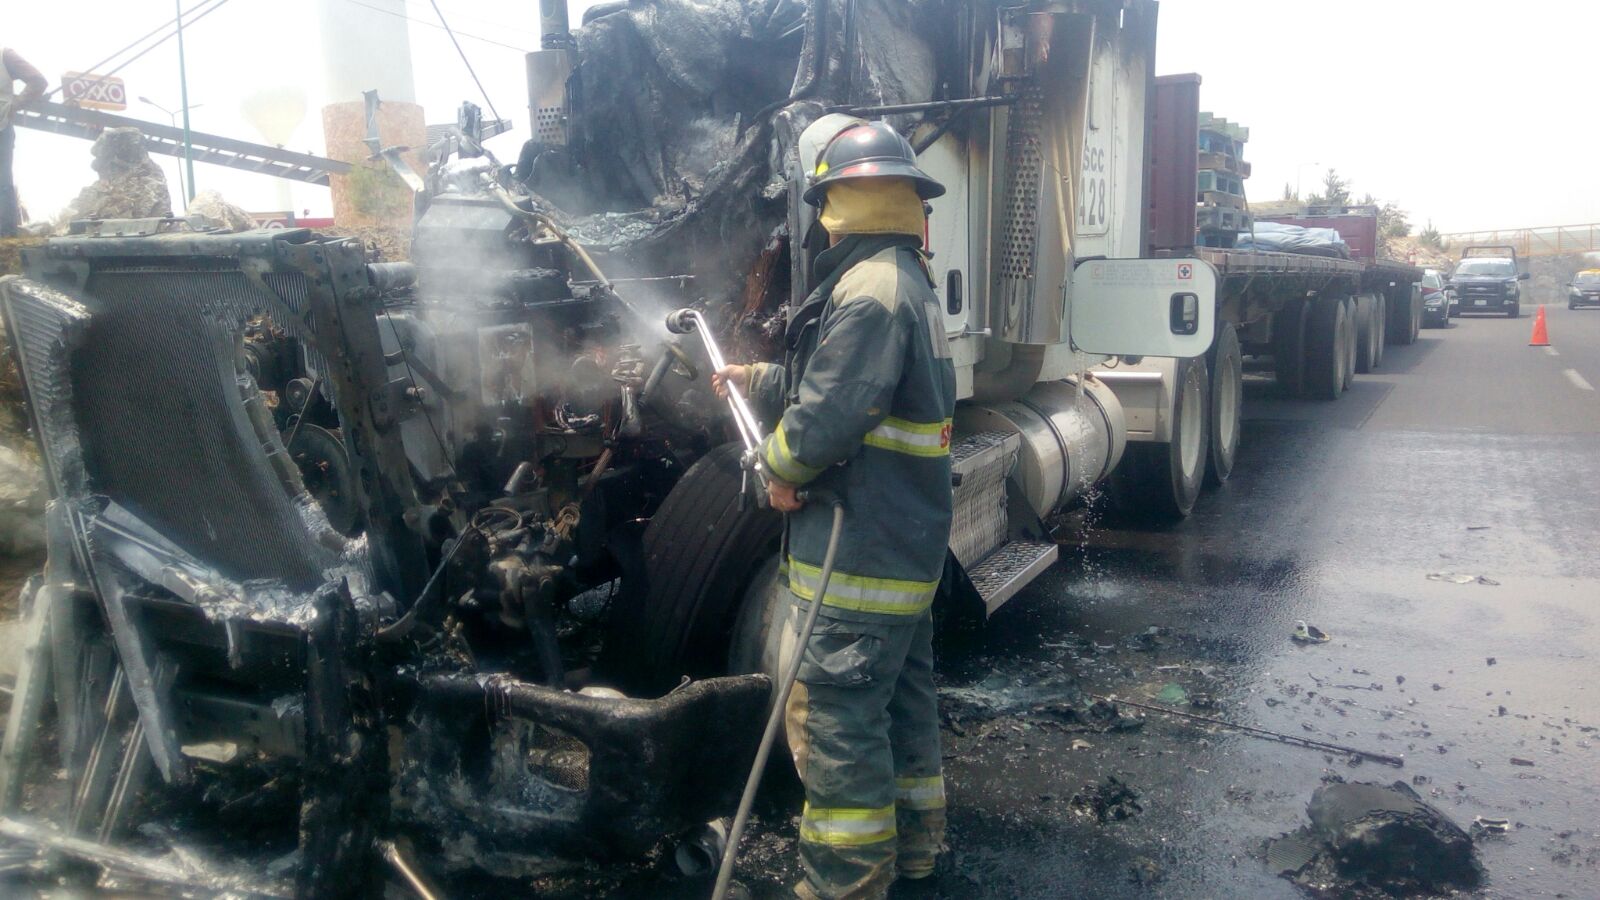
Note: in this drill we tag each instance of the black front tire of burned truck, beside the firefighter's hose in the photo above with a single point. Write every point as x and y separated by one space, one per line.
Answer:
702 552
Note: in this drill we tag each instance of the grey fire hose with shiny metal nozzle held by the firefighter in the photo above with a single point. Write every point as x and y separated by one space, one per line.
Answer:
682 323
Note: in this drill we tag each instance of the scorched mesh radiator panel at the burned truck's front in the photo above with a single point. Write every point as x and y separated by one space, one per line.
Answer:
164 428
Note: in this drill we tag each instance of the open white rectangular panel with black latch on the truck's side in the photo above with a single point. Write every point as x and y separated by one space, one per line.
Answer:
1162 308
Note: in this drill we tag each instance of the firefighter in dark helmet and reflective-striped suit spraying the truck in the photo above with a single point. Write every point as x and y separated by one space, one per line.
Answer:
866 398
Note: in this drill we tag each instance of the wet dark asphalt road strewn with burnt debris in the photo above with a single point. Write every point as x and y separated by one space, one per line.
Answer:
1470 454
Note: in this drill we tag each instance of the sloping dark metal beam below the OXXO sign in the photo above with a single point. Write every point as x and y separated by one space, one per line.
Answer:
217 150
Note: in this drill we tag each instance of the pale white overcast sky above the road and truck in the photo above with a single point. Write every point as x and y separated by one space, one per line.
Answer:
1465 113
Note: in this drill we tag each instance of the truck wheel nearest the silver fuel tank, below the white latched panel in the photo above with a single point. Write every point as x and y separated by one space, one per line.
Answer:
1164 481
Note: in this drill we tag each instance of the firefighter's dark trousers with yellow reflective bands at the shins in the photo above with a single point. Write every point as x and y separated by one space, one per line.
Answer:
863 726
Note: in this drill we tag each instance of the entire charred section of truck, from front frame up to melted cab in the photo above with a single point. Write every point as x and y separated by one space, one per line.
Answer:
348 552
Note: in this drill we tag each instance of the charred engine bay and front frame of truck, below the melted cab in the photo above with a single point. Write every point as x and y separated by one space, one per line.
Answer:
204 622
